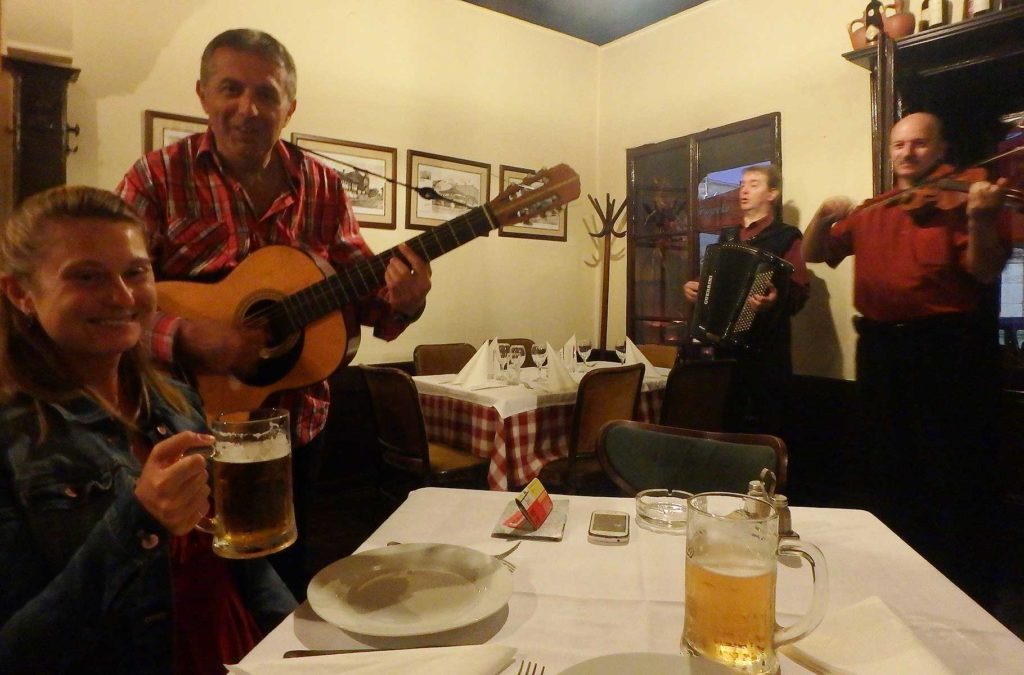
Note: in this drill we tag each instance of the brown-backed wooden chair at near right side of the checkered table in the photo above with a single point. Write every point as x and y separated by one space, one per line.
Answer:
605 395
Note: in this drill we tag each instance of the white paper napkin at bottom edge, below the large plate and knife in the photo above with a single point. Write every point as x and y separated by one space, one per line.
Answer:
472 660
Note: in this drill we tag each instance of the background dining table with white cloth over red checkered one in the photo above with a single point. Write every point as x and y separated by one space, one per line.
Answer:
519 428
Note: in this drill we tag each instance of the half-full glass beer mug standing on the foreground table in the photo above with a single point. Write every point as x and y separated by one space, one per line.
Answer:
732 550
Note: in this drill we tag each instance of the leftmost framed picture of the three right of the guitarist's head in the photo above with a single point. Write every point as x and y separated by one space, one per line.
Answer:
373 197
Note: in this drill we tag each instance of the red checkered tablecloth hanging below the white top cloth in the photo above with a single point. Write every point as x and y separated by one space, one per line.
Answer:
518 446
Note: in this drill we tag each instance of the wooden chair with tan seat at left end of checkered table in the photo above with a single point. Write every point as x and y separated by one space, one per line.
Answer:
403 438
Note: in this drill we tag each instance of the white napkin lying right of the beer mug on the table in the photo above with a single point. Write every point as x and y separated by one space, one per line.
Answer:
866 639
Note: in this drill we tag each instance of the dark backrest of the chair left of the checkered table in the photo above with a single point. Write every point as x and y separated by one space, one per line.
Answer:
401 430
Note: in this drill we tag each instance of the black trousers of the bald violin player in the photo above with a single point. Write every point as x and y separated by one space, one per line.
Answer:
930 395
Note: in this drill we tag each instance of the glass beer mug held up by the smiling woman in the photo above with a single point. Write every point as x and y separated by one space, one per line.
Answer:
251 470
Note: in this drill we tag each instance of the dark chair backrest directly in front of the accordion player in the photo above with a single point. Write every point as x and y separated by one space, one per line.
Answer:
698 395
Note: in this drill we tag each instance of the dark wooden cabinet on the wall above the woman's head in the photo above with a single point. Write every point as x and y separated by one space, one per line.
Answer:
40 125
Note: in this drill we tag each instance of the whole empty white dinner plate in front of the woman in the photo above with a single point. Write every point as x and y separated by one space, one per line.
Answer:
410 589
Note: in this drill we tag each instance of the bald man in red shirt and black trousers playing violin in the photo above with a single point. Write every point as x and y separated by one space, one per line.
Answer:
927 361
